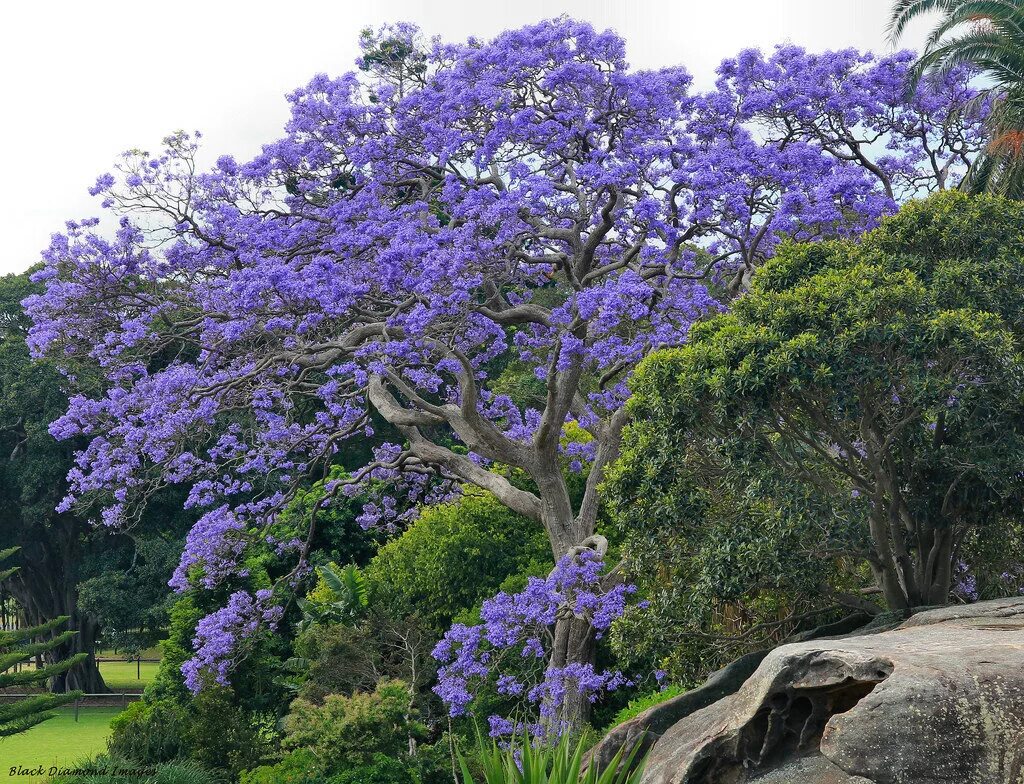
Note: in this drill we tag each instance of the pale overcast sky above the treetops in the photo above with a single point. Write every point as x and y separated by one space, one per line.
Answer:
84 81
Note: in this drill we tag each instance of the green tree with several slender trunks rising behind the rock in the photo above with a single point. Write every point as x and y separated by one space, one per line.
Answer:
886 372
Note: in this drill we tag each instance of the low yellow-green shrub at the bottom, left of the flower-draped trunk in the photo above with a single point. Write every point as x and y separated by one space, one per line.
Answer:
348 732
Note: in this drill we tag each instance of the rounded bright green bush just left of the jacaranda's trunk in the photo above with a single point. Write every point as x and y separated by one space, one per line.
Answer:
453 557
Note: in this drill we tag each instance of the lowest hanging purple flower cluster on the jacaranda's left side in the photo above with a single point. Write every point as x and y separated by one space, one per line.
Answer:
221 637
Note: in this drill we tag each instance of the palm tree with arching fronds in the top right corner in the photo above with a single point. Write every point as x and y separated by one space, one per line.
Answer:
990 36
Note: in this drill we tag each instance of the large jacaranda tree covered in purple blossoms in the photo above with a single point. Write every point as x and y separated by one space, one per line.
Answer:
451 211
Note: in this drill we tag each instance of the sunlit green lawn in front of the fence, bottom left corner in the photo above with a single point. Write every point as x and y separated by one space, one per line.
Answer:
60 742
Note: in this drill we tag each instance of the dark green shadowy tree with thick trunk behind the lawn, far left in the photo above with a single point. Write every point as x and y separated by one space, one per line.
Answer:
111 583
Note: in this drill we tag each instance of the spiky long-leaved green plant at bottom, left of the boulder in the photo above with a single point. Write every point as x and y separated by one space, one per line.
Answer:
525 763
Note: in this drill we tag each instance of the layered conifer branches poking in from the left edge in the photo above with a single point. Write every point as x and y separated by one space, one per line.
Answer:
19 649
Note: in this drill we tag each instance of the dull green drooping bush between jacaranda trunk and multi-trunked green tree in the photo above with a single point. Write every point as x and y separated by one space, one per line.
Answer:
728 568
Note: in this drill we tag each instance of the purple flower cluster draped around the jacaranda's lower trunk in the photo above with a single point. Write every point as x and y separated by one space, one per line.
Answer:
521 625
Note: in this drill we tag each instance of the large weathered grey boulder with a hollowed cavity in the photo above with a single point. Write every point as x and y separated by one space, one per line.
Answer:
937 701
